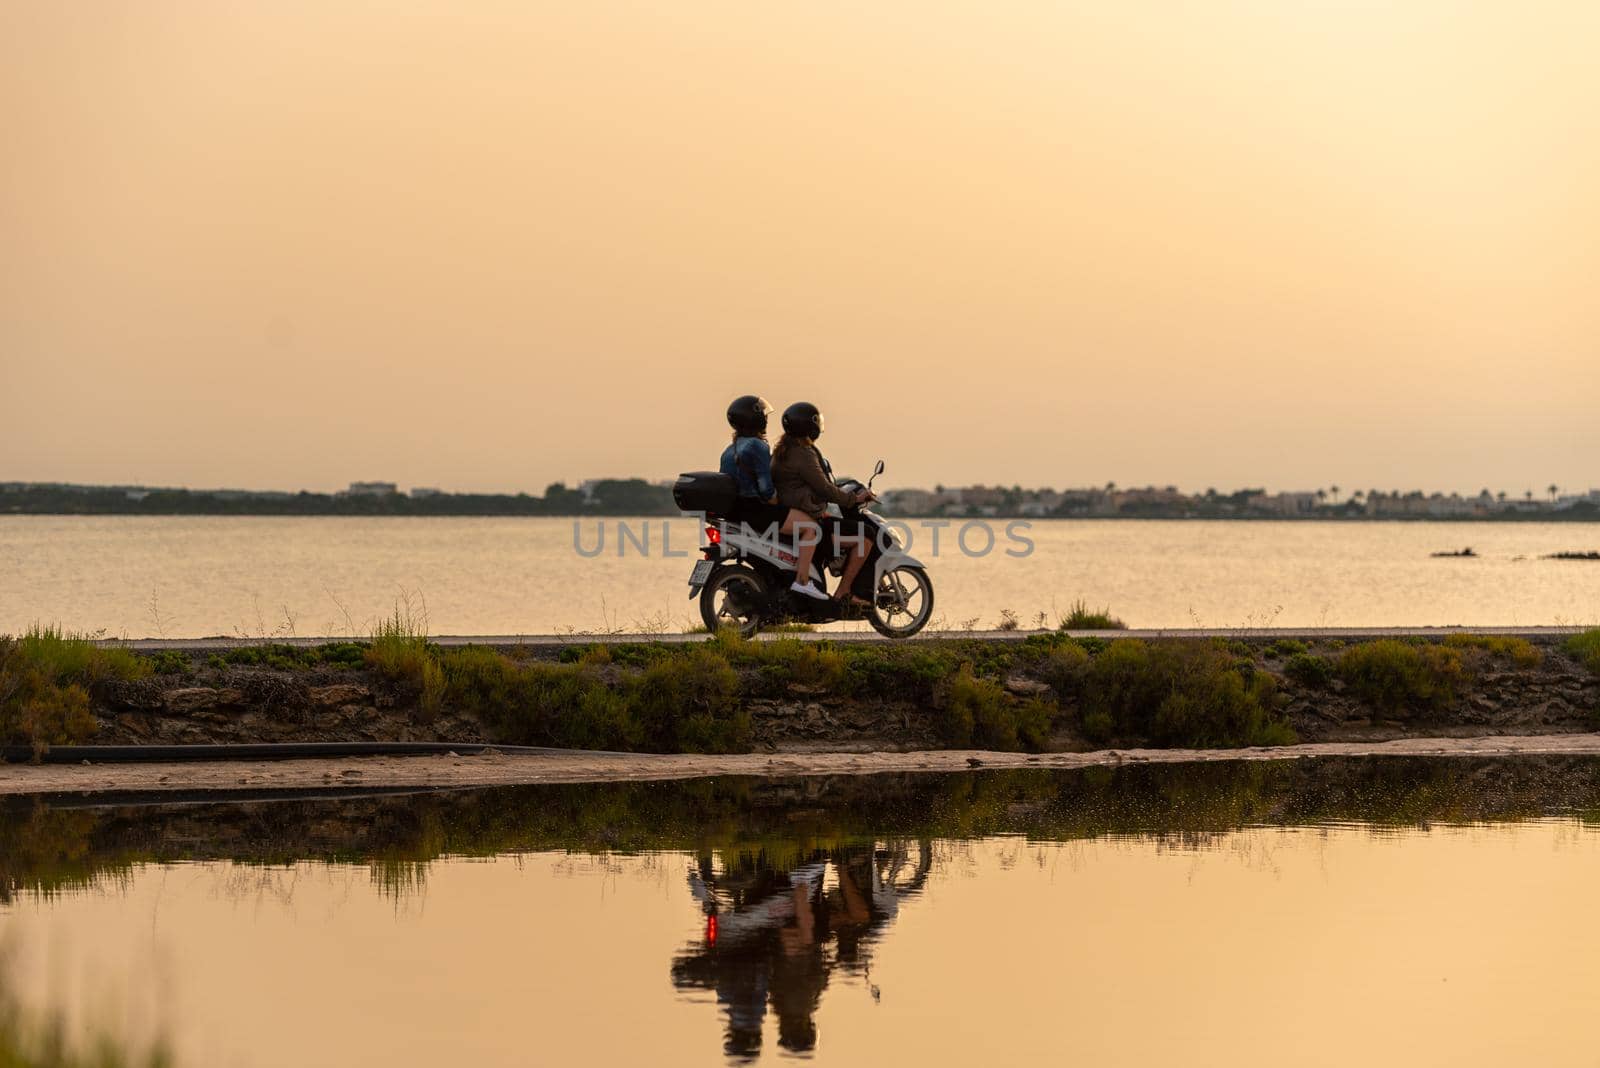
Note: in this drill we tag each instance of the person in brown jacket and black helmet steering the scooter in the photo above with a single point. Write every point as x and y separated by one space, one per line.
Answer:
806 485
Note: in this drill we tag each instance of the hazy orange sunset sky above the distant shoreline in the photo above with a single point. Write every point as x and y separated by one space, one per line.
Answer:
490 245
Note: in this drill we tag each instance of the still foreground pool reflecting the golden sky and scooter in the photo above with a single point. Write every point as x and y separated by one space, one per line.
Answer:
1319 912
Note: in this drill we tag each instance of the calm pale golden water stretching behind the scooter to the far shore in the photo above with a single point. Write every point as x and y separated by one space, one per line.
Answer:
135 576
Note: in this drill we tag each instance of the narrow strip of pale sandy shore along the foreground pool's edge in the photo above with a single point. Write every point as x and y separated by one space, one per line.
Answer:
498 770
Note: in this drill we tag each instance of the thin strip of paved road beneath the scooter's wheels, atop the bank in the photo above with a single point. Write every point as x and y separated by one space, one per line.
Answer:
215 645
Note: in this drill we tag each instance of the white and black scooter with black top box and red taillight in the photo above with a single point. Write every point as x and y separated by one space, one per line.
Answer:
743 581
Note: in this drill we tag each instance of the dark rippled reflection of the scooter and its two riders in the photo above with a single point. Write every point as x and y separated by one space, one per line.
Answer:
775 936
